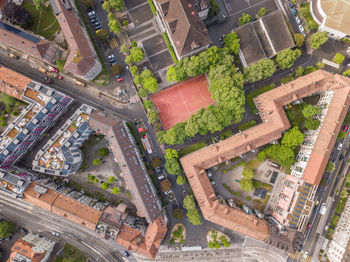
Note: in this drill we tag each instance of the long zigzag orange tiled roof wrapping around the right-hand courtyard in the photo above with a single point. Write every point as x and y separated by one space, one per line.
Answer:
270 105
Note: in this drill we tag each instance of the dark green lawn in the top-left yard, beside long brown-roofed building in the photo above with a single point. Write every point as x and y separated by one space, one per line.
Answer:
45 25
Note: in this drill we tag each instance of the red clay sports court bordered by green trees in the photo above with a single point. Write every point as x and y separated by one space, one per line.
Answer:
177 103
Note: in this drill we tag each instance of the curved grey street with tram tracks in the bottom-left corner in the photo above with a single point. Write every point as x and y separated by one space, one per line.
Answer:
39 220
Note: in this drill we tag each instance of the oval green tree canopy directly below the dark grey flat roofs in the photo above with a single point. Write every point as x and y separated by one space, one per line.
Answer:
260 70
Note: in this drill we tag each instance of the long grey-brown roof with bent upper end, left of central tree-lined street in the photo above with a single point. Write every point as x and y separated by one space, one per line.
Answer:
125 150
